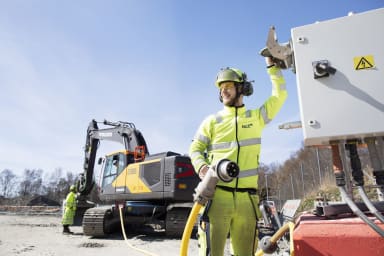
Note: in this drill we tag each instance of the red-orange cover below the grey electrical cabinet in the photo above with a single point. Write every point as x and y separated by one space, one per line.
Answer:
314 236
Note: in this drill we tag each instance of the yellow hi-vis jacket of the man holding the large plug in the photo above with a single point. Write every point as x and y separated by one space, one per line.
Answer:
234 133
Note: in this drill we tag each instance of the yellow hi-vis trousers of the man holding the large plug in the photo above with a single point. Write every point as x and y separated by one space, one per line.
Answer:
235 213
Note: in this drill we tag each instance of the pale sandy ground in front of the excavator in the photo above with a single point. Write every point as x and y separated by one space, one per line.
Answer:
42 235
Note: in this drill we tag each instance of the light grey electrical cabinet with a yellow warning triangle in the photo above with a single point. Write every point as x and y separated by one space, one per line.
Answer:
339 67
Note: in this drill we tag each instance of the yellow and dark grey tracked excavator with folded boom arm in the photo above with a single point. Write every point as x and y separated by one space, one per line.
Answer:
147 189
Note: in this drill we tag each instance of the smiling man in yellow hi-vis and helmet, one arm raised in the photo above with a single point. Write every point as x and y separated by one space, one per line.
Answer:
234 133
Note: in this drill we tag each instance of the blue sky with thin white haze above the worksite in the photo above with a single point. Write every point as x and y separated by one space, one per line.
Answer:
150 62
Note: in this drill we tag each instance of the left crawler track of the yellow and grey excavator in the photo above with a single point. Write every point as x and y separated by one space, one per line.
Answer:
93 222
